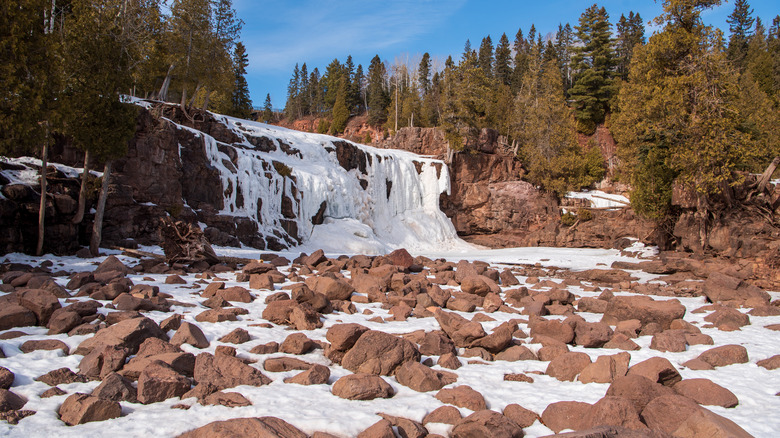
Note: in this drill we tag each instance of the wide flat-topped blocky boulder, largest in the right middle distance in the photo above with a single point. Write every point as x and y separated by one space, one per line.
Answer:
644 309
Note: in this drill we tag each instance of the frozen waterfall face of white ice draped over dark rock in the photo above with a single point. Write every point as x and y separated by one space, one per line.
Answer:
324 192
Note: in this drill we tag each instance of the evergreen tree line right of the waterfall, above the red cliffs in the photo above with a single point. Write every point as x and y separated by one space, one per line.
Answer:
685 105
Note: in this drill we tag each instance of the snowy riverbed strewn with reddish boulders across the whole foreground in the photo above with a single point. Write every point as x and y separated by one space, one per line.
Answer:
362 346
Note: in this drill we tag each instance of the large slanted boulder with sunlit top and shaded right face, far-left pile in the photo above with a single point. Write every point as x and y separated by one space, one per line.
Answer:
127 334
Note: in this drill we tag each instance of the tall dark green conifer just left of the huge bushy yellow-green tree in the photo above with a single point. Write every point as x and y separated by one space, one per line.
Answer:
593 65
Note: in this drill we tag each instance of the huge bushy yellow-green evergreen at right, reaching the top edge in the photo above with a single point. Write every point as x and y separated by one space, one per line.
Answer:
676 124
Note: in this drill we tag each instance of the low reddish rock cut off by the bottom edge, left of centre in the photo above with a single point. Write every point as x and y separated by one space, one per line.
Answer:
264 427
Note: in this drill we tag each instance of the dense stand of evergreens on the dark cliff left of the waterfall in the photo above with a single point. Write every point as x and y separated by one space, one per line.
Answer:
69 66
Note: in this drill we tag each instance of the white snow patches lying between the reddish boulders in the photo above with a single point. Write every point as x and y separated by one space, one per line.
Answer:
314 408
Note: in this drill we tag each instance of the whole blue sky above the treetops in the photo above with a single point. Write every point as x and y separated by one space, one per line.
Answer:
279 34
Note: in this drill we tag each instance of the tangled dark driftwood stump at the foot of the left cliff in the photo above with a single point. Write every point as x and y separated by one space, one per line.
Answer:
185 243
